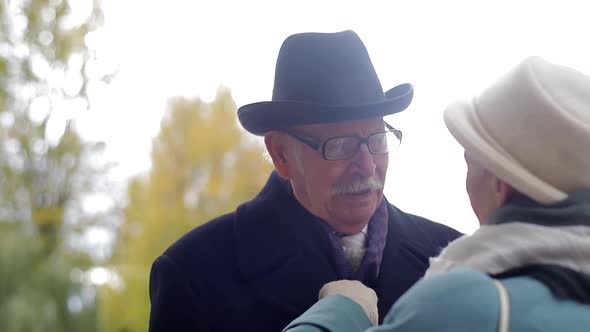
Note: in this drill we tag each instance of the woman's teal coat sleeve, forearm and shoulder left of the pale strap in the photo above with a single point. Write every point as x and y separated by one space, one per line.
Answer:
462 300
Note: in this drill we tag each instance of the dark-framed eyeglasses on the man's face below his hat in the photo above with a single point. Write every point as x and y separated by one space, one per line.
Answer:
345 147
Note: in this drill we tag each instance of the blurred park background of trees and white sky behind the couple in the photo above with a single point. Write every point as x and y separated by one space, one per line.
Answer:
118 128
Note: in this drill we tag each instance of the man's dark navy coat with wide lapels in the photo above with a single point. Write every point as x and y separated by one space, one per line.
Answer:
260 267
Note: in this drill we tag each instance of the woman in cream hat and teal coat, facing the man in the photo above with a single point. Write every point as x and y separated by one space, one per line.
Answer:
527 147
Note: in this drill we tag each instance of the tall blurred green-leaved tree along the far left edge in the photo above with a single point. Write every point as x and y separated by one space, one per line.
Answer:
46 71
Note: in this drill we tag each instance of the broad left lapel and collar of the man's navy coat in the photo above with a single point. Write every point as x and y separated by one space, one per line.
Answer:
284 255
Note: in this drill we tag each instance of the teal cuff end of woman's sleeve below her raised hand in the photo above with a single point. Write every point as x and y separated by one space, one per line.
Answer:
332 313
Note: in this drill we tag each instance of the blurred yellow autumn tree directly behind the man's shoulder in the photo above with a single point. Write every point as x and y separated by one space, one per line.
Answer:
203 165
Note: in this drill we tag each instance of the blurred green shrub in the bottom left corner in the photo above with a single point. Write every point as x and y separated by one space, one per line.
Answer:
37 292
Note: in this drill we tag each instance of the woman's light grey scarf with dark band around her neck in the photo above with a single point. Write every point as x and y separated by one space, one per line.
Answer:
525 233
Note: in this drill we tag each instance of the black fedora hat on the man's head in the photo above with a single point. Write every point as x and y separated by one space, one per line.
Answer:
321 78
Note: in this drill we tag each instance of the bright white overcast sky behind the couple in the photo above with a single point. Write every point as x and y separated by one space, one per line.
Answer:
448 49
